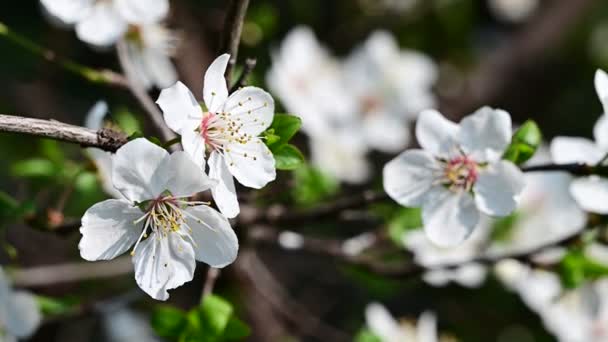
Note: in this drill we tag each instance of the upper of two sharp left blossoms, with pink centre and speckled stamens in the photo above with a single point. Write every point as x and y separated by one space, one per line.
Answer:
229 131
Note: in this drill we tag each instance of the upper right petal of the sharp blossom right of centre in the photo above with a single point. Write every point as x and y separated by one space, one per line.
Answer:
486 133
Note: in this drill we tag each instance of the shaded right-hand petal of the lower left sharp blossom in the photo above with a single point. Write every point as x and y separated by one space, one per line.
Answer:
216 243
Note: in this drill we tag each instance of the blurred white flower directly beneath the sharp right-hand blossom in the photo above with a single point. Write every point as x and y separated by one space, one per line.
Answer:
433 257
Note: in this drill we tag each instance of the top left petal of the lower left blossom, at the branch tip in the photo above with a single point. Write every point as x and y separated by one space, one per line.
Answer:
133 168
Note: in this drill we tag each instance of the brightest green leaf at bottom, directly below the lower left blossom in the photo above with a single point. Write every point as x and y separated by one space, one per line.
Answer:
215 313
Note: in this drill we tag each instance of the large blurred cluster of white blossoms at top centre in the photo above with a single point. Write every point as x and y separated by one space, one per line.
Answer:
350 107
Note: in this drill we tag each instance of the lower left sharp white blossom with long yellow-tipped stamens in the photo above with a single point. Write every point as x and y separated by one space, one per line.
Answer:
168 232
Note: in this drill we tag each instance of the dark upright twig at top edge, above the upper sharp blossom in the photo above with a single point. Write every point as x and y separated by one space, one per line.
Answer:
233 27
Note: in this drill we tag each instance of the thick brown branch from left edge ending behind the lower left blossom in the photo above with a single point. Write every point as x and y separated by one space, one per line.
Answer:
105 139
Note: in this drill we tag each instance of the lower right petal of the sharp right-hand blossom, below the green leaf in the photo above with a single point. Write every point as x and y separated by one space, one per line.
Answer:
498 187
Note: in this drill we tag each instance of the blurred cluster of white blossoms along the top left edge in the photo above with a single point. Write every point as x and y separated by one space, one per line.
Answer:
102 23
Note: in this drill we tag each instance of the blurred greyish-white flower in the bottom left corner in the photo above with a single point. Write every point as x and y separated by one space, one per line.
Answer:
19 313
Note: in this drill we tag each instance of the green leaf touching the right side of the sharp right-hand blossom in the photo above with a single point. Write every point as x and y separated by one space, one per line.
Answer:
524 143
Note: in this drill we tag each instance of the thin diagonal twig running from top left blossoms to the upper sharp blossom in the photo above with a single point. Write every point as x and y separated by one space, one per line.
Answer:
141 94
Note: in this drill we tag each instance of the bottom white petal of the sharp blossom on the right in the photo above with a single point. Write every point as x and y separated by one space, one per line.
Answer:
449 218
